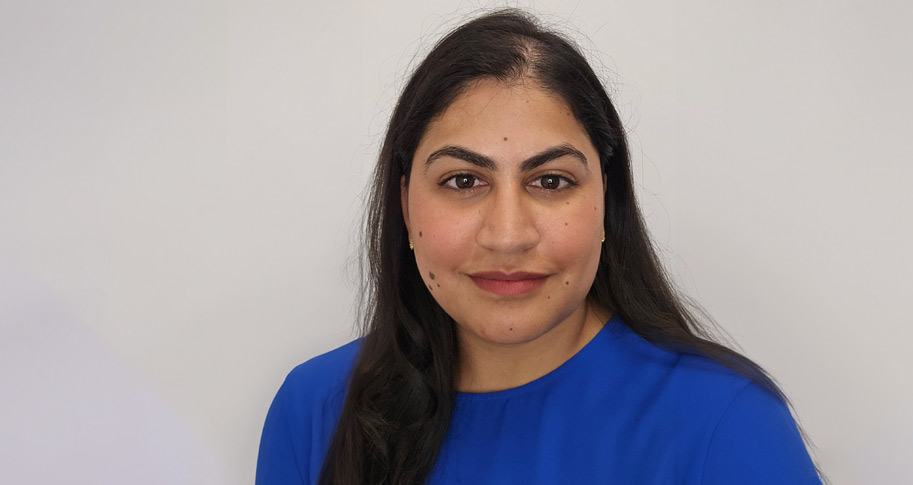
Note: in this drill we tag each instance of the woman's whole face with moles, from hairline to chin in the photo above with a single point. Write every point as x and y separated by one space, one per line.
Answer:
505 207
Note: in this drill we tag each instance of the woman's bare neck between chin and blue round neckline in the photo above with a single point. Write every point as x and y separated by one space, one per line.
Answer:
489 367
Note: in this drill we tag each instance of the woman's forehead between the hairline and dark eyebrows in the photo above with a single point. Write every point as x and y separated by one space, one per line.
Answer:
506 122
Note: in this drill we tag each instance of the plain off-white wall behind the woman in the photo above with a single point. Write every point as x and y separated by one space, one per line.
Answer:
180 183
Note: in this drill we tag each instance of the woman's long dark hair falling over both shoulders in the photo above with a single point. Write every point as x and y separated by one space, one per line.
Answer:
401 392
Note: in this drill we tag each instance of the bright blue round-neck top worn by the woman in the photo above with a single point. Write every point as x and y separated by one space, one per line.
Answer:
619 411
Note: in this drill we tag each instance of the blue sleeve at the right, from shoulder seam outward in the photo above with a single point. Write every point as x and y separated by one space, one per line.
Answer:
757 442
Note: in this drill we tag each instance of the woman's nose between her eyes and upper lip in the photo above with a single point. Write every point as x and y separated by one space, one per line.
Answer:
508 222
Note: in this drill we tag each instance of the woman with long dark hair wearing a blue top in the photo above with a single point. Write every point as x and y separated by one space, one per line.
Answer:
521 329
